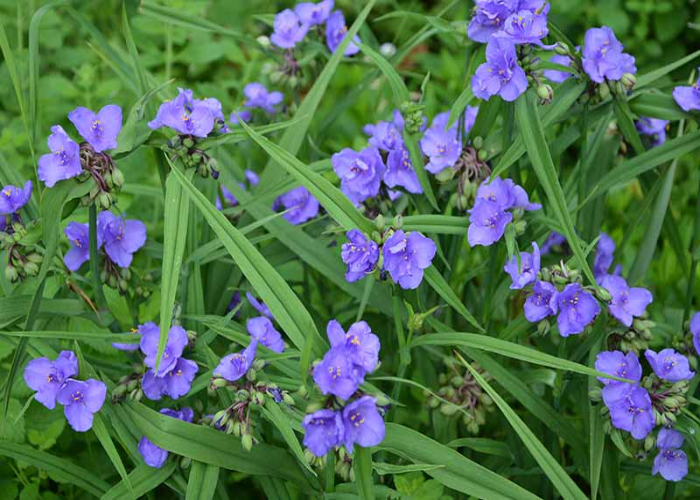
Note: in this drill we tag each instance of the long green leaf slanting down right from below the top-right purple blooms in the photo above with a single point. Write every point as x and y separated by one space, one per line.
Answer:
536 146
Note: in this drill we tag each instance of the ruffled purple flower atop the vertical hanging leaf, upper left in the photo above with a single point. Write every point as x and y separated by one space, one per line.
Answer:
185 115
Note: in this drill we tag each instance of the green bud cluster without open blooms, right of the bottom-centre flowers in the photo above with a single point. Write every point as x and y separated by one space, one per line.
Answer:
461 395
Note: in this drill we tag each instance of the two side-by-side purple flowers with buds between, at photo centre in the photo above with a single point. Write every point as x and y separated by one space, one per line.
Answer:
403 255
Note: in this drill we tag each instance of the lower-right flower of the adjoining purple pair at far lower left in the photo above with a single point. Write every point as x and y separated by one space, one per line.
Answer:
81 400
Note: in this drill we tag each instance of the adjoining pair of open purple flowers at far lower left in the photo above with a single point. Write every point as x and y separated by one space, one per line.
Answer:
54 382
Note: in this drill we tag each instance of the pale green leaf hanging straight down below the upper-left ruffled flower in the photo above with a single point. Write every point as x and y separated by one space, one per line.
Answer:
177 211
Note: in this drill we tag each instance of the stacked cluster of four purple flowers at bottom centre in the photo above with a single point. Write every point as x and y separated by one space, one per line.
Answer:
340 373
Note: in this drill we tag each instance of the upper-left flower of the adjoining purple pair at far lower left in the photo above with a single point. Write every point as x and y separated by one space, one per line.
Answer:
46 377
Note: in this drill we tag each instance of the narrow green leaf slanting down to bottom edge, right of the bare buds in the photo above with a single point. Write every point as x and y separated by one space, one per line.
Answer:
561 480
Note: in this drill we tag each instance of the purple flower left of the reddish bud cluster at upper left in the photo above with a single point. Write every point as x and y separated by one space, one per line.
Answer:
64 160
